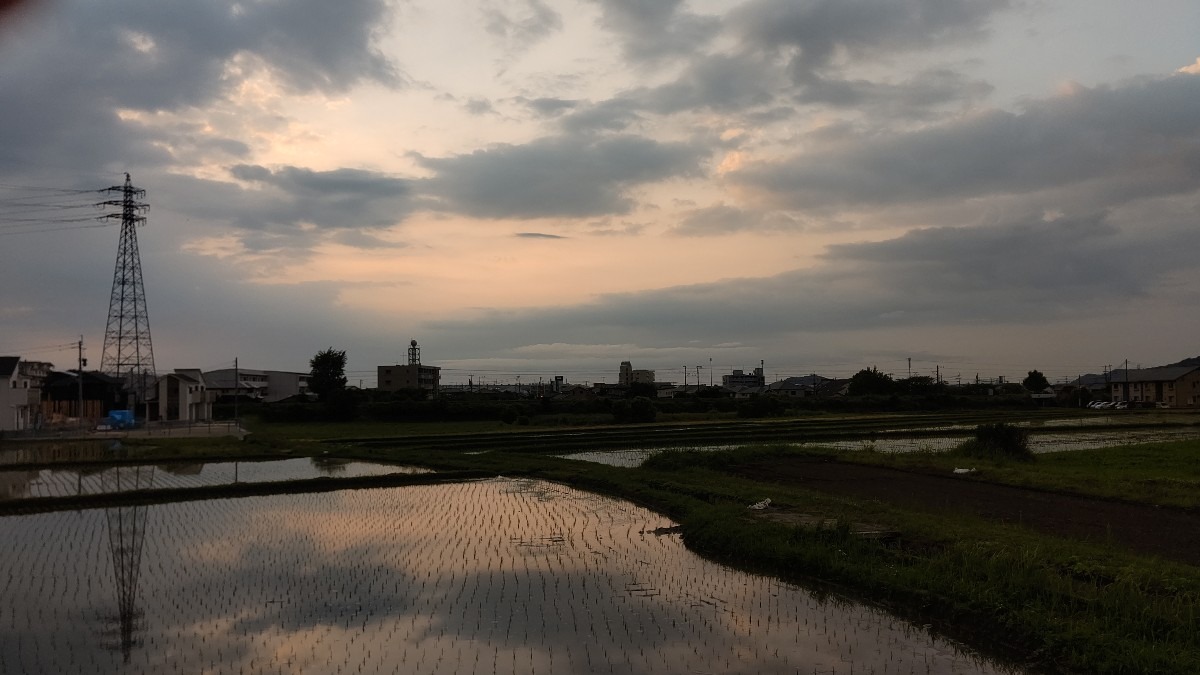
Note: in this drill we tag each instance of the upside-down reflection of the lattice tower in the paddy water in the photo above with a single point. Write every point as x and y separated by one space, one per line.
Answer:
127 531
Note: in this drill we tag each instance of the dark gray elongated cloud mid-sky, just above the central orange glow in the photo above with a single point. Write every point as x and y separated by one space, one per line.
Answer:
563 176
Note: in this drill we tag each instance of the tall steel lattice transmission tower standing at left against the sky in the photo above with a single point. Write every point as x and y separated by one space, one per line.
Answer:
129 354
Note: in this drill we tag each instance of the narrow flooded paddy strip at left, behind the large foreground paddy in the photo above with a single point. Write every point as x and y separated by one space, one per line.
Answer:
124 479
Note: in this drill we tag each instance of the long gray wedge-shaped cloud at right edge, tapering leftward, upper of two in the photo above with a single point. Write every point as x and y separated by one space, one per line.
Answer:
1118 144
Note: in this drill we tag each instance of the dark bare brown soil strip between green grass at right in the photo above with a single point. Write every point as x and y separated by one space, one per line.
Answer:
1167 533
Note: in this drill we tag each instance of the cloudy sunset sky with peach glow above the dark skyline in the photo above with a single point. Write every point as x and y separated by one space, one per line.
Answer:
539 188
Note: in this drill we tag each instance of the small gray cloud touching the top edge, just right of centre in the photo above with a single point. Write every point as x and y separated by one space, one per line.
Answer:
652 31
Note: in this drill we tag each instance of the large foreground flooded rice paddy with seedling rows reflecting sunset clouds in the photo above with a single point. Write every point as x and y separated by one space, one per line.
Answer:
488 577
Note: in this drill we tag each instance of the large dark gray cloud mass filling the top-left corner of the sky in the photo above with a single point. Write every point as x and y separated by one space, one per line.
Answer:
176 58
